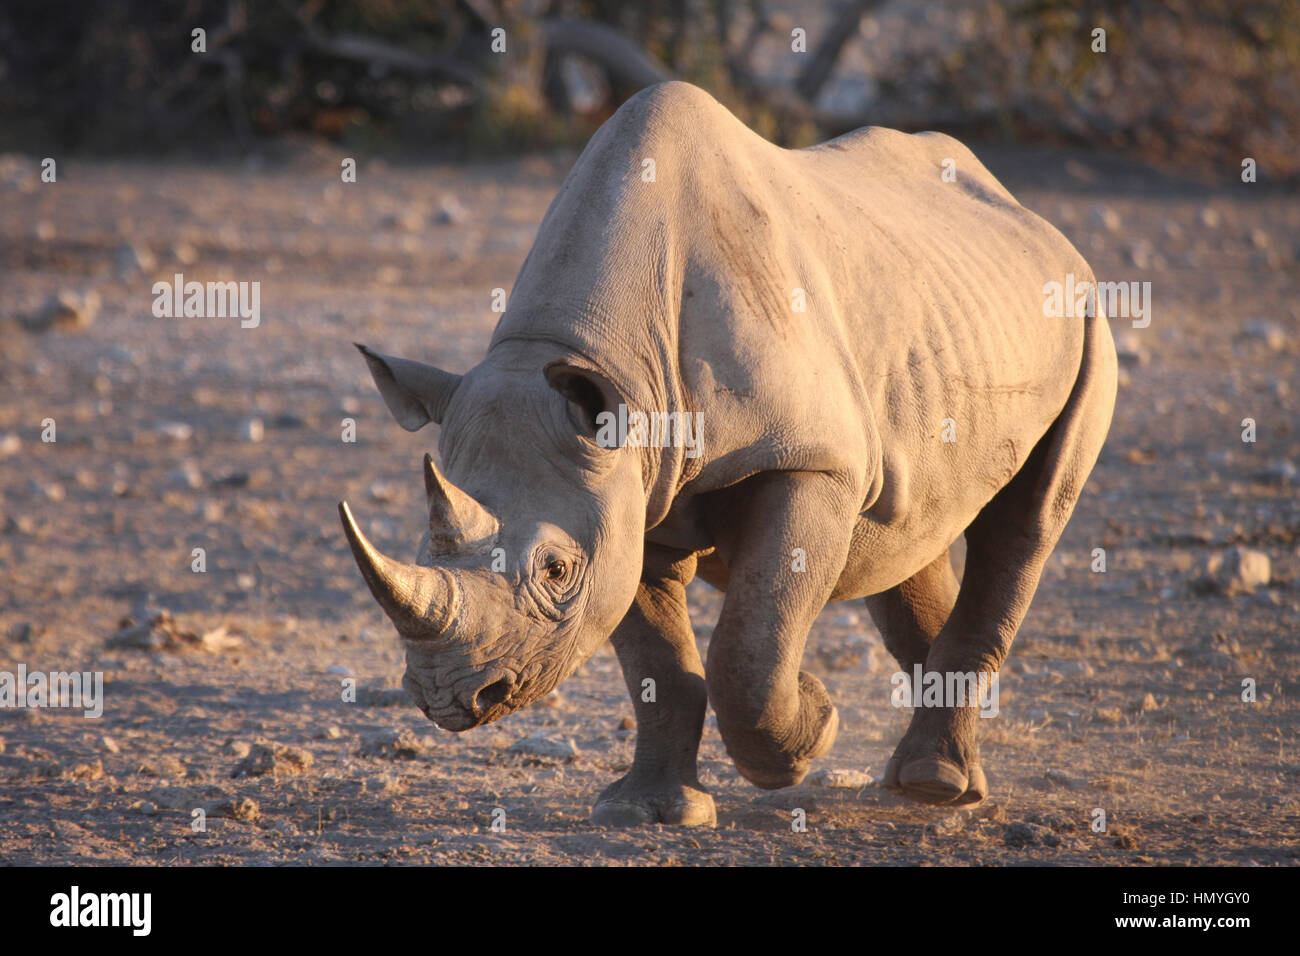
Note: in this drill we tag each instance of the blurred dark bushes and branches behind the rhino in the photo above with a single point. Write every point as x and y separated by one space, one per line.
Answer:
1194 84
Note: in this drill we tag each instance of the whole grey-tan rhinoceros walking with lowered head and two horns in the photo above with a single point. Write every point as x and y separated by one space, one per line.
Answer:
798 374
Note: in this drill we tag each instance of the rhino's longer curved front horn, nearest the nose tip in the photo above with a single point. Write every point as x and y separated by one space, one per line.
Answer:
421 602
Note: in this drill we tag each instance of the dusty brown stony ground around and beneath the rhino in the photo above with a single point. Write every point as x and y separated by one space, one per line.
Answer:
115 507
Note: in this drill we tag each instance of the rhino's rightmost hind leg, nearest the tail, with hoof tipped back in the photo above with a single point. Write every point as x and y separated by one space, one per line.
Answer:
1007 548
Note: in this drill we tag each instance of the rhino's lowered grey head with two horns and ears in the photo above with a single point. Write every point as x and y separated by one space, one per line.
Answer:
534 548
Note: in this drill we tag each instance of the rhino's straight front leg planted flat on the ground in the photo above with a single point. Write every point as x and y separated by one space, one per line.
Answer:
656 643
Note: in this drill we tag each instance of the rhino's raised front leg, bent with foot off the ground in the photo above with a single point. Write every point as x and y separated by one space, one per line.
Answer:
785 538
